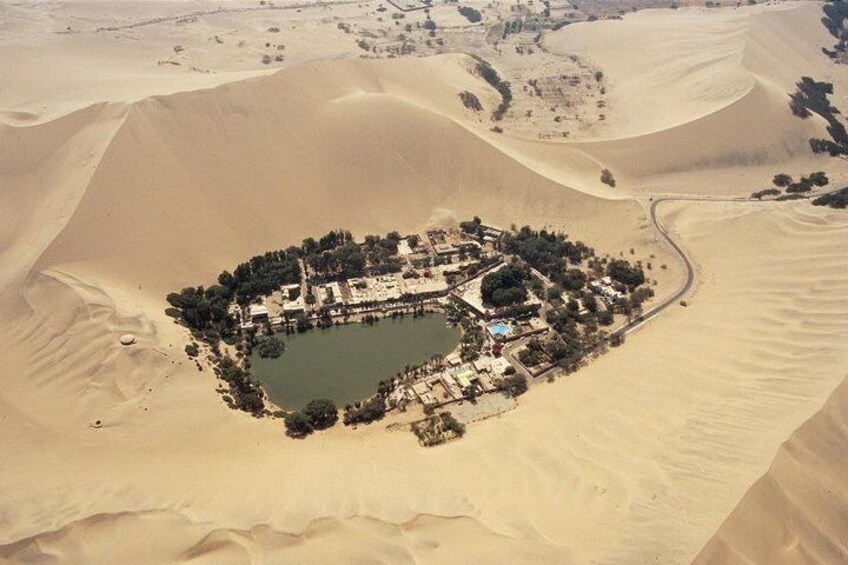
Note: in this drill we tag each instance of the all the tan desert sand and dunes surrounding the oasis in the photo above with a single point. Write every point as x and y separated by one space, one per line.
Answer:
716 433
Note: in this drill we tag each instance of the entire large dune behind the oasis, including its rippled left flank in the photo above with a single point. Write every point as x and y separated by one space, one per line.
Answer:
110 208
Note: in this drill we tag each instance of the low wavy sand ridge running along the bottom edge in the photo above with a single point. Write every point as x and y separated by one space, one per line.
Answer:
424 539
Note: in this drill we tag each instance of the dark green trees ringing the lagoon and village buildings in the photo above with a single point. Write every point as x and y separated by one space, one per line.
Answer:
574 313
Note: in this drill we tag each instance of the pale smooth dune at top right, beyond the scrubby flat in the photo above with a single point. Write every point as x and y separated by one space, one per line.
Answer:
681 66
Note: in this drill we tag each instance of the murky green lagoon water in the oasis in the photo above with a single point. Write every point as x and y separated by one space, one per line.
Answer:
346 363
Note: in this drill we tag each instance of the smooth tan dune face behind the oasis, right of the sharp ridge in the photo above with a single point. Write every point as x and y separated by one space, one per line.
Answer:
246 167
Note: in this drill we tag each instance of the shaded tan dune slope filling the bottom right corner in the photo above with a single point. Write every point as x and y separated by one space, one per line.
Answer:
796 512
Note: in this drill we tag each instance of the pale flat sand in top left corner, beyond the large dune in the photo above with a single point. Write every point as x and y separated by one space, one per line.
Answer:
51 69
